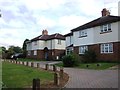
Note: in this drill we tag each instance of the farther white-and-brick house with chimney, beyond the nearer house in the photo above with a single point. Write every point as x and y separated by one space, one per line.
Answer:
50 47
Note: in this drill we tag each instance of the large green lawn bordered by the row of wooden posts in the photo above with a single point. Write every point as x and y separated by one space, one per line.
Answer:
19 76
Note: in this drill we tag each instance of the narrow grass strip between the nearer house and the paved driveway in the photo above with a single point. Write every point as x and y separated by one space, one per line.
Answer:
102 65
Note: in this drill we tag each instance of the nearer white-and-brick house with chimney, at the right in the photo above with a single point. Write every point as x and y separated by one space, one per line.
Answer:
101 35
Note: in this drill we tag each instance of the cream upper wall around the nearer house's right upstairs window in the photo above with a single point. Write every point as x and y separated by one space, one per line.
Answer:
106 37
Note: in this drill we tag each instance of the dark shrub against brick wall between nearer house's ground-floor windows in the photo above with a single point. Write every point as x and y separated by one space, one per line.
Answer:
89 57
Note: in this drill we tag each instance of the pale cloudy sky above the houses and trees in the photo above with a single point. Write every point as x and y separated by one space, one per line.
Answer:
25 19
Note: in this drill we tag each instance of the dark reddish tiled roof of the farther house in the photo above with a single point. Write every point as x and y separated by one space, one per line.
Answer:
49 37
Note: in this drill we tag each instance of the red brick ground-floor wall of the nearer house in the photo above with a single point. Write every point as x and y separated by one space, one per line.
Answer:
104 57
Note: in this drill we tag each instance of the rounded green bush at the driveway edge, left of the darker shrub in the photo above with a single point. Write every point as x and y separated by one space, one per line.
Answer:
70 60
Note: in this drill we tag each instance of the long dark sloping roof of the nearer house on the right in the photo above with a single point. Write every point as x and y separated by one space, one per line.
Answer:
98 22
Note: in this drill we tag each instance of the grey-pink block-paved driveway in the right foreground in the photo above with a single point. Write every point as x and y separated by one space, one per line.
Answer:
81 78
